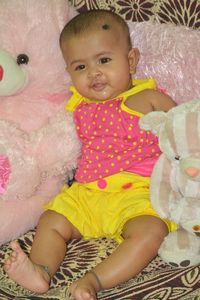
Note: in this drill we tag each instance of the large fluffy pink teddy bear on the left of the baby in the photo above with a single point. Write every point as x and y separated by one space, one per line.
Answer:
38 143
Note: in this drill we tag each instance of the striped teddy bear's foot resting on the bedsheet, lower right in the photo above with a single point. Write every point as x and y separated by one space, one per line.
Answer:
180 249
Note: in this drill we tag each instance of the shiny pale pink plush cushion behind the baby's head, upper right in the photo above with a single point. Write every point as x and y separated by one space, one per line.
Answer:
170 54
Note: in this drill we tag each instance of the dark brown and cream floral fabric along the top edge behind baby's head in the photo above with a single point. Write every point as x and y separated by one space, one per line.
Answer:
182 12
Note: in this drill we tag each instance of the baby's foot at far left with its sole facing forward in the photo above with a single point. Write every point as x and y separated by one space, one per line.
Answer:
27 274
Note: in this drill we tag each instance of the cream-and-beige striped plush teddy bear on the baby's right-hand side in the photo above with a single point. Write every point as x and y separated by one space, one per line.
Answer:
175 181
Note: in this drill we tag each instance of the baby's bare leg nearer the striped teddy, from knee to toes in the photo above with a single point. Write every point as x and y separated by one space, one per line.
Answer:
142 238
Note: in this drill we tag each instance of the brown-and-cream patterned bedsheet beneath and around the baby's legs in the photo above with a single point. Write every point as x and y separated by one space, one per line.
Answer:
156 281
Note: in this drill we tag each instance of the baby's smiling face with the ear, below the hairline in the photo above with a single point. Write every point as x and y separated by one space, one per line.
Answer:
99 64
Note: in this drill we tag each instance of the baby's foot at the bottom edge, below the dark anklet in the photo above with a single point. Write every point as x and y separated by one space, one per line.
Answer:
85 288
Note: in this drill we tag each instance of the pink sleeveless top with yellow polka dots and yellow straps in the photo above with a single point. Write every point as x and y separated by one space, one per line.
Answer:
112 140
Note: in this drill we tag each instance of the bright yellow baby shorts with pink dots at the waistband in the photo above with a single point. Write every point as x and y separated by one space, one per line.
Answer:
101 208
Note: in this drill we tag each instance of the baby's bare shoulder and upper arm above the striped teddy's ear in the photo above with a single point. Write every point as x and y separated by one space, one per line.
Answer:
150 100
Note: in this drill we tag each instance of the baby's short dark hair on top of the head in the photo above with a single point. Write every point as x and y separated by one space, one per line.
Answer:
94 20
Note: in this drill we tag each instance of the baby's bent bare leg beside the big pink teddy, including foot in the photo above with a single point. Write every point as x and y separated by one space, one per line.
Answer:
48 251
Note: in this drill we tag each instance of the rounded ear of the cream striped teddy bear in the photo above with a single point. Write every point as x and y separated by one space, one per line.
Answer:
153 121
